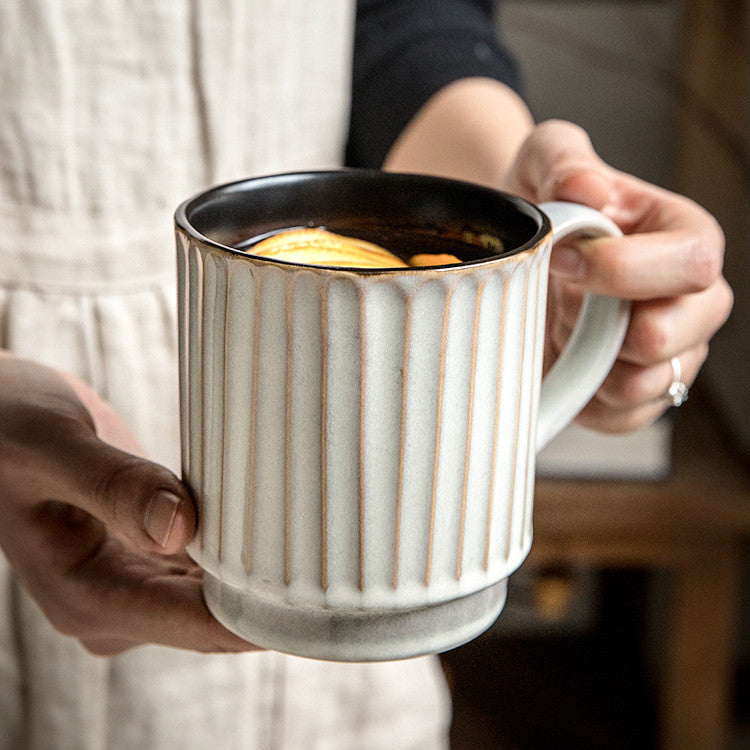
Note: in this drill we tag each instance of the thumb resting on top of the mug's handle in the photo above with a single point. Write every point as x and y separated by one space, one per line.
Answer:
558 162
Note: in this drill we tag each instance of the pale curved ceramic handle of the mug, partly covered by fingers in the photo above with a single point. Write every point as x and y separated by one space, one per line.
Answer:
596 339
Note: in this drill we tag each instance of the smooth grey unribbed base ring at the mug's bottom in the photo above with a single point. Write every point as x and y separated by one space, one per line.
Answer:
350 636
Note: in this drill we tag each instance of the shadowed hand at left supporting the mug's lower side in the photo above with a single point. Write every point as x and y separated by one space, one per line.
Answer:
96 533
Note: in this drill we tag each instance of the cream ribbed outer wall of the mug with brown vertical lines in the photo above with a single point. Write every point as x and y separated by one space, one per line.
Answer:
360 440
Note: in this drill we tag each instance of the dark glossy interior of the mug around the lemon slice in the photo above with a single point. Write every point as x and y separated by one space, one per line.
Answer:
386 208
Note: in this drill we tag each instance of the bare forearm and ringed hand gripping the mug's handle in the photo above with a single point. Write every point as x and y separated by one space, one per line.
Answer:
669 264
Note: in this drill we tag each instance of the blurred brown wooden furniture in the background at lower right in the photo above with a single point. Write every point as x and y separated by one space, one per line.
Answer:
694 525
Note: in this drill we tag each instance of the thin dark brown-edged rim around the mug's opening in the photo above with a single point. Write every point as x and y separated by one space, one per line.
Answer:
182 216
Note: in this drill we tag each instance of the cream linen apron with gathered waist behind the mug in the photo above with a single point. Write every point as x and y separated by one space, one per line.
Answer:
112 112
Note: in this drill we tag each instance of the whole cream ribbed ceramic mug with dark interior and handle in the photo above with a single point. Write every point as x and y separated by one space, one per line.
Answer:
361 443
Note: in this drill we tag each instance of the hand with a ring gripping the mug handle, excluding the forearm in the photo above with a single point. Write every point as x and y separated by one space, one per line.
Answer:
669 264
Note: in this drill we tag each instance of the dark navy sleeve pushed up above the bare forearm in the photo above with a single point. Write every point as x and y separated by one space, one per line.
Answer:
404 52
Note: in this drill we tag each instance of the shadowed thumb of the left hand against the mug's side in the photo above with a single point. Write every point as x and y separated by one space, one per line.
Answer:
51 452
